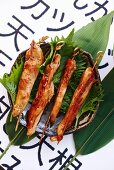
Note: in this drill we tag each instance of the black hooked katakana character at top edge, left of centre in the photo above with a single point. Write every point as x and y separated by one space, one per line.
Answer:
35 4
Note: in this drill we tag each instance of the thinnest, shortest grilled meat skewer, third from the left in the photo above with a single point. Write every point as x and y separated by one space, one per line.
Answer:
68 71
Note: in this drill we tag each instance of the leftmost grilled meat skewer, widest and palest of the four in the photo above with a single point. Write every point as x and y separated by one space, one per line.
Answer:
33 58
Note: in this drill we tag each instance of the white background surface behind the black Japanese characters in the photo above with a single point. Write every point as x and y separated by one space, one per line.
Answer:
99 160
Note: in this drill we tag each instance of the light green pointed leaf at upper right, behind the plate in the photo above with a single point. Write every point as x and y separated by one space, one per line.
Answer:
94 36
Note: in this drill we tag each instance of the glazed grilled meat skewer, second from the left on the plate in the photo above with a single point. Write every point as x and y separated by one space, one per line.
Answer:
43 96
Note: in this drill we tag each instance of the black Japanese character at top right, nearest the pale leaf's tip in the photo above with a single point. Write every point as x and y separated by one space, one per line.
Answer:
100 6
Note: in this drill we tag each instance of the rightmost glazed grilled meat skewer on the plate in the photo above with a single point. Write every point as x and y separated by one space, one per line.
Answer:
78 98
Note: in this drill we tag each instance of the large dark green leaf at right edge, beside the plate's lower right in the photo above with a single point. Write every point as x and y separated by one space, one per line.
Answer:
101 130
